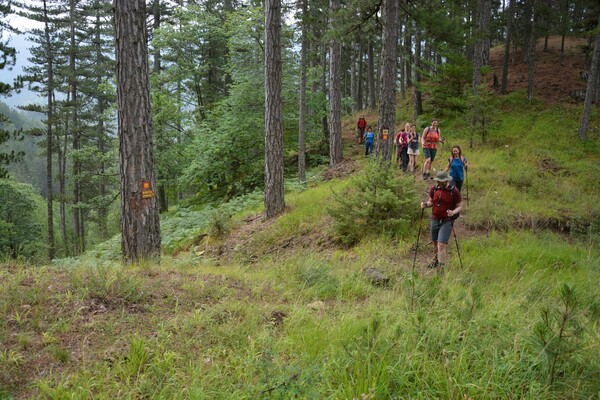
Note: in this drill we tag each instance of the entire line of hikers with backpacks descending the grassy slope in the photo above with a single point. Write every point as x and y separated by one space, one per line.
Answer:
444 197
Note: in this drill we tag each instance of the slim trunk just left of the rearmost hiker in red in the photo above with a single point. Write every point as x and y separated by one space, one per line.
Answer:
335 98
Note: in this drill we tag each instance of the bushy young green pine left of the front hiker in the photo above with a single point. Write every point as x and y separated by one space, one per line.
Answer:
376 202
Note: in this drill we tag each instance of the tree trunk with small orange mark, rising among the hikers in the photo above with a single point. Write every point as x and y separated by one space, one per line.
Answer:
387 85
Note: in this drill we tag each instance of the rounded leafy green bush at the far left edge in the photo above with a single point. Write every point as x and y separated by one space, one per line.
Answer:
20 231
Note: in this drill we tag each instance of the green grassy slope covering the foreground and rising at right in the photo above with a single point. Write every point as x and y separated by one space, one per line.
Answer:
277 310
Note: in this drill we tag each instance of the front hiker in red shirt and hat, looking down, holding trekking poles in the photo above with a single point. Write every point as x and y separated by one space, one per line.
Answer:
446 201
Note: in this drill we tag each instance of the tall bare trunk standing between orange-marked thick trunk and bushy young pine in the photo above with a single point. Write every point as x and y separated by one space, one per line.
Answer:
274 200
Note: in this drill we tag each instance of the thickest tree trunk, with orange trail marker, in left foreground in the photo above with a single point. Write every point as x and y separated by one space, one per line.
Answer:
140 224
